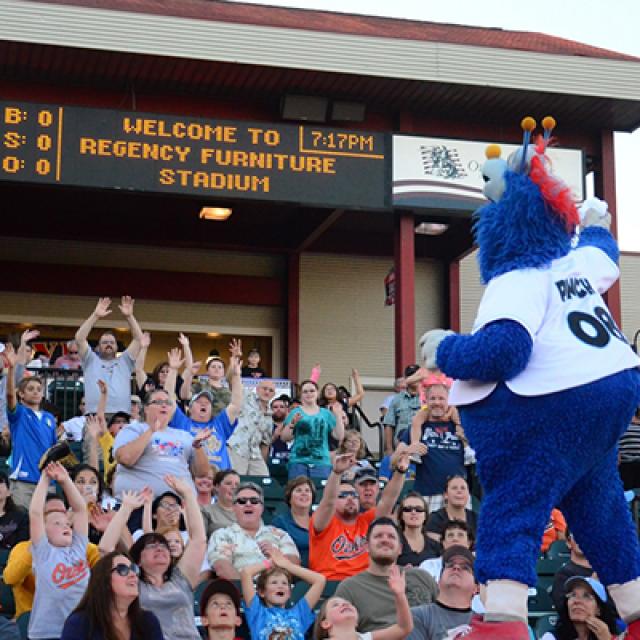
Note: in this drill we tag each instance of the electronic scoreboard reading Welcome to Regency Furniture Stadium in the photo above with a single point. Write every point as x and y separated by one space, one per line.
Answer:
103 148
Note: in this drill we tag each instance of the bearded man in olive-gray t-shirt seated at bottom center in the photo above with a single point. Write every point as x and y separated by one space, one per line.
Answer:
369 591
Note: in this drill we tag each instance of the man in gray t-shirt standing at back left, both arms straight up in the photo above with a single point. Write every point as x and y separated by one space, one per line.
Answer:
104 364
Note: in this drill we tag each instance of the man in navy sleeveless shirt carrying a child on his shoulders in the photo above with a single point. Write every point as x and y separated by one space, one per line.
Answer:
435 428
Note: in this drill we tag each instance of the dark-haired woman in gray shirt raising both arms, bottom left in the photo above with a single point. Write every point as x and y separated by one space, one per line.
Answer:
166 588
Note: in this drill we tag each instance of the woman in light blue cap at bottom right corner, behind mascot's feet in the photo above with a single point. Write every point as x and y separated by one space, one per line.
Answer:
585 614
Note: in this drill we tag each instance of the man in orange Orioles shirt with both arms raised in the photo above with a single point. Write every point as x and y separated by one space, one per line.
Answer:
338 530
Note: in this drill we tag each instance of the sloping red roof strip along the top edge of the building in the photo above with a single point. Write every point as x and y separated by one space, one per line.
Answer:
348 23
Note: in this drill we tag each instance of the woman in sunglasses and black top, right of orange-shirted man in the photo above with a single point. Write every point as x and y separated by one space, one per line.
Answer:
412 520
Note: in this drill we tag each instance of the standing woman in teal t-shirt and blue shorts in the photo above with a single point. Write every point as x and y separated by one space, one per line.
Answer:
312 426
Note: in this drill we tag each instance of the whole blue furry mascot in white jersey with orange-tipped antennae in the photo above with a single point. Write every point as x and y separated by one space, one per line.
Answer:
545 384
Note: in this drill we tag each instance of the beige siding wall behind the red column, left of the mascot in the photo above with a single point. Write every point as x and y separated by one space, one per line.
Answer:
343 320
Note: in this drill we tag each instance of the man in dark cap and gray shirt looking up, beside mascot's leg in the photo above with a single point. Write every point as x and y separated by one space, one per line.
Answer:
450 614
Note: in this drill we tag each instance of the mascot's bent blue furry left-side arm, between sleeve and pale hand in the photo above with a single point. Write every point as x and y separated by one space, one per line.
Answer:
499 351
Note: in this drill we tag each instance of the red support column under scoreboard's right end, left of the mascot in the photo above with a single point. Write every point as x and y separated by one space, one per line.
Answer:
405 308
